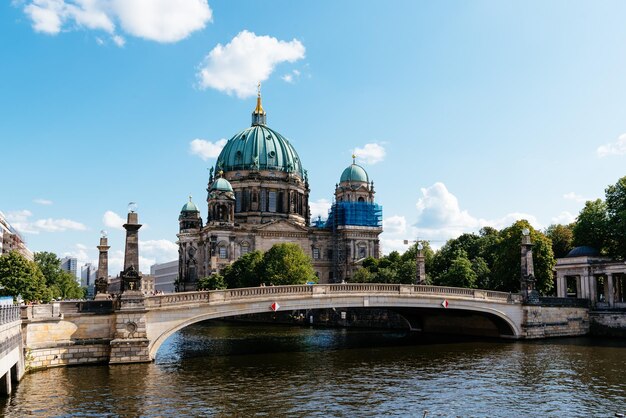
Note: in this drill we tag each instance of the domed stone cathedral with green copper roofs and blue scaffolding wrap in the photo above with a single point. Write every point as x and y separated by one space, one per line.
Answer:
258 196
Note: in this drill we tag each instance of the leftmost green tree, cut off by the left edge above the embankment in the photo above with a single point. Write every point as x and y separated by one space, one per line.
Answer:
19 276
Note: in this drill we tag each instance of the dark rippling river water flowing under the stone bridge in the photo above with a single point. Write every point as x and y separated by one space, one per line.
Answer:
226 369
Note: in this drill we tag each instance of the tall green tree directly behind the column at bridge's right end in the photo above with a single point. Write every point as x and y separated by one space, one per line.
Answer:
507 266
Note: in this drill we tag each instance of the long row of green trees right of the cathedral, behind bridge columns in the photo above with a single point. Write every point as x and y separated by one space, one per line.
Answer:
491 258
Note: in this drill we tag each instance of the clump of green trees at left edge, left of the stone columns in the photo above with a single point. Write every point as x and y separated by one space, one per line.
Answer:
40 280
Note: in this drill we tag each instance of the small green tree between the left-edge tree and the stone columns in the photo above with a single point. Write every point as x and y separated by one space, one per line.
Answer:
61 283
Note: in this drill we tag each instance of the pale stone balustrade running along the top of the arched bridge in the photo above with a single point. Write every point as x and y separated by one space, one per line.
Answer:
372 289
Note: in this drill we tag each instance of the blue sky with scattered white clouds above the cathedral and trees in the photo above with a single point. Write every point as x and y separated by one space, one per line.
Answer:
464 114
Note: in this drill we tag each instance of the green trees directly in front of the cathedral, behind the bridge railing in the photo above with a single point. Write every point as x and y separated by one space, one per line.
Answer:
282 264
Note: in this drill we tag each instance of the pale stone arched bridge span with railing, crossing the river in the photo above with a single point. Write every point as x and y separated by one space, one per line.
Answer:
170 313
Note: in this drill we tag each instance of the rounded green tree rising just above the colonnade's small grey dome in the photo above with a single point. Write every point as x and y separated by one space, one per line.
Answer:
592 226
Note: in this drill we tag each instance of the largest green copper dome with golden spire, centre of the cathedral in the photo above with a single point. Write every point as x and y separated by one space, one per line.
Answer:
259 148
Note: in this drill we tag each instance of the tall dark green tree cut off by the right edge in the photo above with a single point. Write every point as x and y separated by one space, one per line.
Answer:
616 218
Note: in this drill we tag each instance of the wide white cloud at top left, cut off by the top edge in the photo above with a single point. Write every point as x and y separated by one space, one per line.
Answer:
155 20
